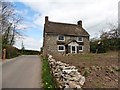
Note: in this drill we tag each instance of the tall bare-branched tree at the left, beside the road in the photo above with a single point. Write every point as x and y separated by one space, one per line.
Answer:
10 21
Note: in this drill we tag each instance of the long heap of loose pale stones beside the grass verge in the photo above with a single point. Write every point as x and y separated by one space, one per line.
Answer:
65 75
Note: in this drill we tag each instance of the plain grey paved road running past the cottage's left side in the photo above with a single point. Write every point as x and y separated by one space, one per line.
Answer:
22 72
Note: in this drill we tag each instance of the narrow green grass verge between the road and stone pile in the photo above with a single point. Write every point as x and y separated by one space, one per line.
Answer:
47 77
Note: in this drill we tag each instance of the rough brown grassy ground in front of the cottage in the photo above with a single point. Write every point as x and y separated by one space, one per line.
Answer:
100 70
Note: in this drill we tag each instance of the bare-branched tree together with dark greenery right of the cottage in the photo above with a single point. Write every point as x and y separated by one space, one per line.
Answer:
109 40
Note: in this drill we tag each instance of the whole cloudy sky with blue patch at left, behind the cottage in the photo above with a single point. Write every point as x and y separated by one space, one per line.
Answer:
95 15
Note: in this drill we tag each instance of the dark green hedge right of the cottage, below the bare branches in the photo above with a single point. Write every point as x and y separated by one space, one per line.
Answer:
107 45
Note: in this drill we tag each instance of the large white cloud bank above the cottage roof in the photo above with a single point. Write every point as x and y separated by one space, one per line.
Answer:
92 12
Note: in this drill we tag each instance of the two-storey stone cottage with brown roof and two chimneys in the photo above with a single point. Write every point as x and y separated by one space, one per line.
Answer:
64 38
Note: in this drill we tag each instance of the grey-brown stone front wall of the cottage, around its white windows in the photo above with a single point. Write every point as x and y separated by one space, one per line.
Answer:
51 43
